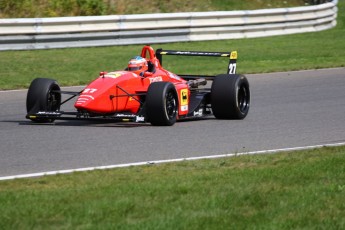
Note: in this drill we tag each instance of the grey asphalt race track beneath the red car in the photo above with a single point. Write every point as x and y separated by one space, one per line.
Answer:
291 109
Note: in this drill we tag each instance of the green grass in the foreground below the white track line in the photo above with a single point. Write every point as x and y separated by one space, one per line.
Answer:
293 190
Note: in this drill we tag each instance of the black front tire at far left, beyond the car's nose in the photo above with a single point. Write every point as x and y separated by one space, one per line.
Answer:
43 95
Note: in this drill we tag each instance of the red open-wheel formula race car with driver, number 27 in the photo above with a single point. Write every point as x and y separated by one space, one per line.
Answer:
146 92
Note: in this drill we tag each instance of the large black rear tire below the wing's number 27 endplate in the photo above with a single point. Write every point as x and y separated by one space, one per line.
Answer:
230 96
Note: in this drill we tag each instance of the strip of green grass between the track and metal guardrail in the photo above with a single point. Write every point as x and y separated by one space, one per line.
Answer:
79 66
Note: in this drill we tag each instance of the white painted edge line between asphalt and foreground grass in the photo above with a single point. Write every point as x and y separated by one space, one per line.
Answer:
67 171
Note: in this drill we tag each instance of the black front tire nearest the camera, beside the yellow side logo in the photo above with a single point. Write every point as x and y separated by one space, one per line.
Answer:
162 104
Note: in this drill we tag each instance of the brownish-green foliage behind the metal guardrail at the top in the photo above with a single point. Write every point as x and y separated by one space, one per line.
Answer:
60 8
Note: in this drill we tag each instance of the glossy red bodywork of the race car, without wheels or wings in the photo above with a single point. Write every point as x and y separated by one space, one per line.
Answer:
120 91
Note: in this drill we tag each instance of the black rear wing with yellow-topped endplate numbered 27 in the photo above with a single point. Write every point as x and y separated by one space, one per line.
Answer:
231 55
